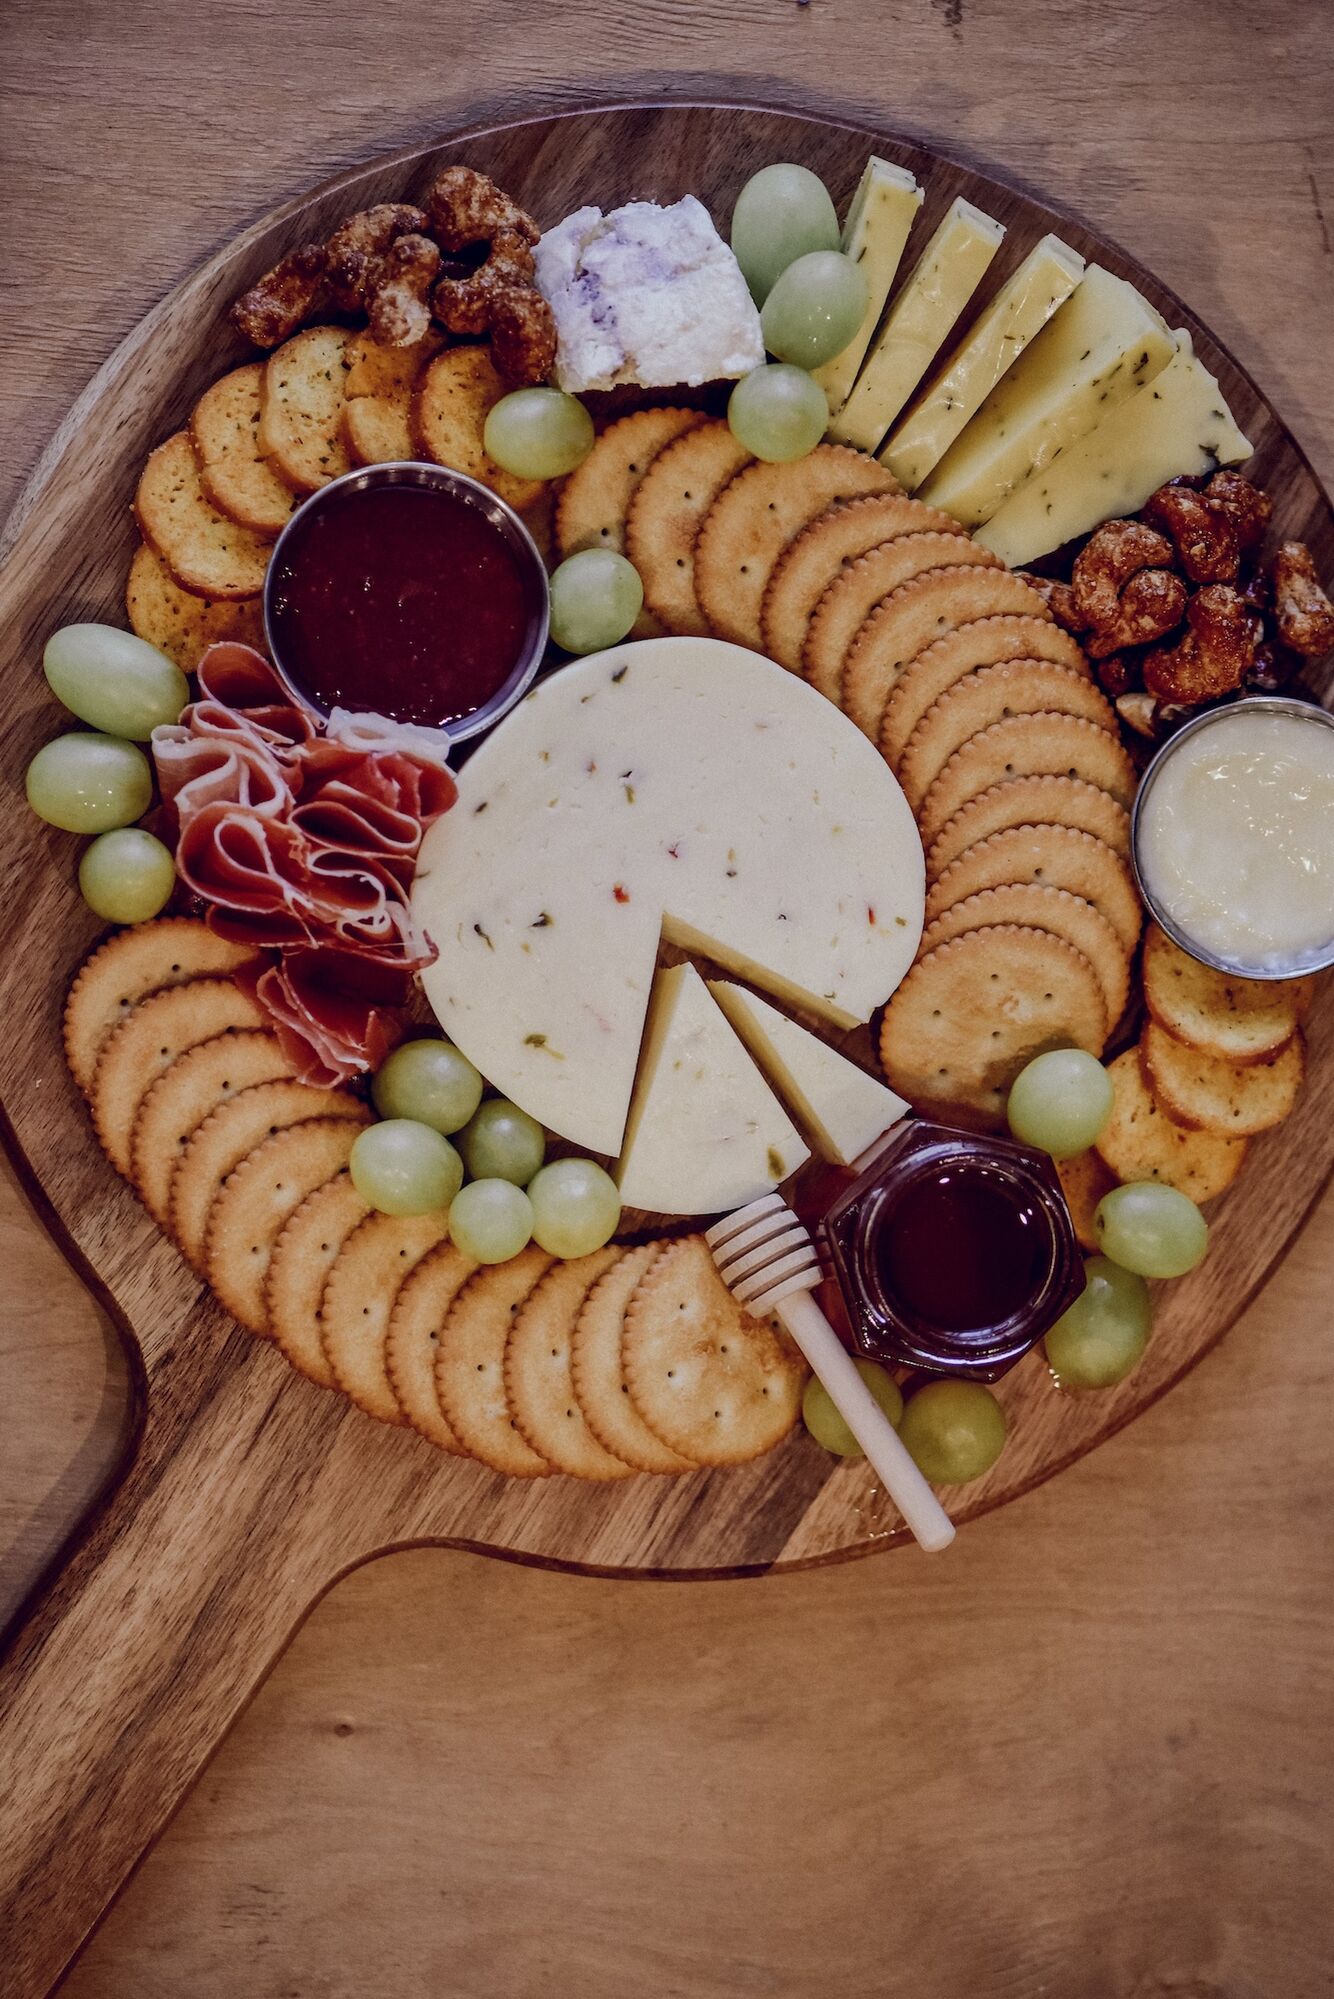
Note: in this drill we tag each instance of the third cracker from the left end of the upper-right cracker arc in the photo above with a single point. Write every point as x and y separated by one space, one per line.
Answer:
753 521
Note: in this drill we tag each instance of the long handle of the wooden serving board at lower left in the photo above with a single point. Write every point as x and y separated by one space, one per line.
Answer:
145 1648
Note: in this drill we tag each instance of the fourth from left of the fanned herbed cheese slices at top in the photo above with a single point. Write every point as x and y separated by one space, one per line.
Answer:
1093 355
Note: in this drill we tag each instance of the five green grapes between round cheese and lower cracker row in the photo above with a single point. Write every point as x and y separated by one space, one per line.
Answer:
435 1128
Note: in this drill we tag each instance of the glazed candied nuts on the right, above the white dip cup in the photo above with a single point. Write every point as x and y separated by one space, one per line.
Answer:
1179 607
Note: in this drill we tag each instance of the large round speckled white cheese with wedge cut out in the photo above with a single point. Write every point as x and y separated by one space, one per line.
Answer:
677 789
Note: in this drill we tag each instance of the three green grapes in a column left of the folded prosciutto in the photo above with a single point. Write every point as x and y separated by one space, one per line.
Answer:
99 781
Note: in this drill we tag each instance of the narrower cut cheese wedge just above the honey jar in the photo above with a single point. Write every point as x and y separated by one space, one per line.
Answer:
841 1108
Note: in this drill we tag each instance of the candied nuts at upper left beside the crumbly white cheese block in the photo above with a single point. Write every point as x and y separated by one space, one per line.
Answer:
465 259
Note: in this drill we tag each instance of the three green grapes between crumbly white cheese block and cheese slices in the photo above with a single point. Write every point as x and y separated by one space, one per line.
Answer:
811 297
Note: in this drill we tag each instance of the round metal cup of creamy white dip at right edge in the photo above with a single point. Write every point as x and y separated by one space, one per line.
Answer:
1237 839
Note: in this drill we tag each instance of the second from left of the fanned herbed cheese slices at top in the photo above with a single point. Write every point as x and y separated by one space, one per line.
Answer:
919 323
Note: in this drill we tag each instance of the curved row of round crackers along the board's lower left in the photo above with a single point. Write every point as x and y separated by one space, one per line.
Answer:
627 1360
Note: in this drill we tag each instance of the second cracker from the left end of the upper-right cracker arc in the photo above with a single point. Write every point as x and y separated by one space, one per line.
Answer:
665 517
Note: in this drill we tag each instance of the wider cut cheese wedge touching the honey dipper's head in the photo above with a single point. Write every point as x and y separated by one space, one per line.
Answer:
707 1132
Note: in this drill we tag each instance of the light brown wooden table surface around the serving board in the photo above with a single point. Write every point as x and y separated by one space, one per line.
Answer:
1089 1754
